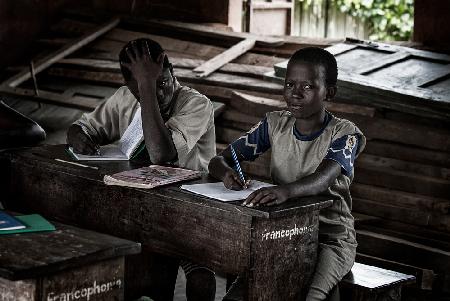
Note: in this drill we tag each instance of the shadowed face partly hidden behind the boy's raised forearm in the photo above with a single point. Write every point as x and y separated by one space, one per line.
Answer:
164 89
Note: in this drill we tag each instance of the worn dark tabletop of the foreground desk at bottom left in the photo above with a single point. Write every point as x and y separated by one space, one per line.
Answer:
31 255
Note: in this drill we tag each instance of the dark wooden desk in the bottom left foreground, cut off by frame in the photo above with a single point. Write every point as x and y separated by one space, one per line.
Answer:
66 264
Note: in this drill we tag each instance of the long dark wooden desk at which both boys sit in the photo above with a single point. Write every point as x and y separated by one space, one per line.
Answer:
274 247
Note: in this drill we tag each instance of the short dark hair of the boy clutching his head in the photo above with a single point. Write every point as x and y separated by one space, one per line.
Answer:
155 51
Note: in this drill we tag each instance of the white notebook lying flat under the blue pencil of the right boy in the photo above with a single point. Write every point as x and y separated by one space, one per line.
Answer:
219 192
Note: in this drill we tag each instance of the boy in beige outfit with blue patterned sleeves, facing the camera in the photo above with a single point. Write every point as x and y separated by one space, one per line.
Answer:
313 152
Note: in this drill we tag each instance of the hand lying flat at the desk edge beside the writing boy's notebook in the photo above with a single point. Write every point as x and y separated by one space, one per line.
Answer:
267 196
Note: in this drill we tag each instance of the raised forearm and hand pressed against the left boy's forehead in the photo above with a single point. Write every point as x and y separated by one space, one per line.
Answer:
158 139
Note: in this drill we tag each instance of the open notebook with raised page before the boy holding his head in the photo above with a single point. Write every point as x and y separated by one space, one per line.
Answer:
129 144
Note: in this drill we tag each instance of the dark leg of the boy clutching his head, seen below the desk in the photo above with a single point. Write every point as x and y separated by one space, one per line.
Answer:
200 282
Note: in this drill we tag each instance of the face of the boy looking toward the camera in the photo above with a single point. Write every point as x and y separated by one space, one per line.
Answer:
305 89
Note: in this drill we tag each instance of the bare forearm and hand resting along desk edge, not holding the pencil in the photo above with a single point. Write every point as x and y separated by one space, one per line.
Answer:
313 184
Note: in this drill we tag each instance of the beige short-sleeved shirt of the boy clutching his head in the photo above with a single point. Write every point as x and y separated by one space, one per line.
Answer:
190 121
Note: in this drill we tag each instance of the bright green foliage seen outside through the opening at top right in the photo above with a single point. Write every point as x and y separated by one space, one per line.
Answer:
387 19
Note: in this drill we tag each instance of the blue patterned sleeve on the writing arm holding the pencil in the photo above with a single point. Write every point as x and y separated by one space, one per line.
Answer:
254 142
